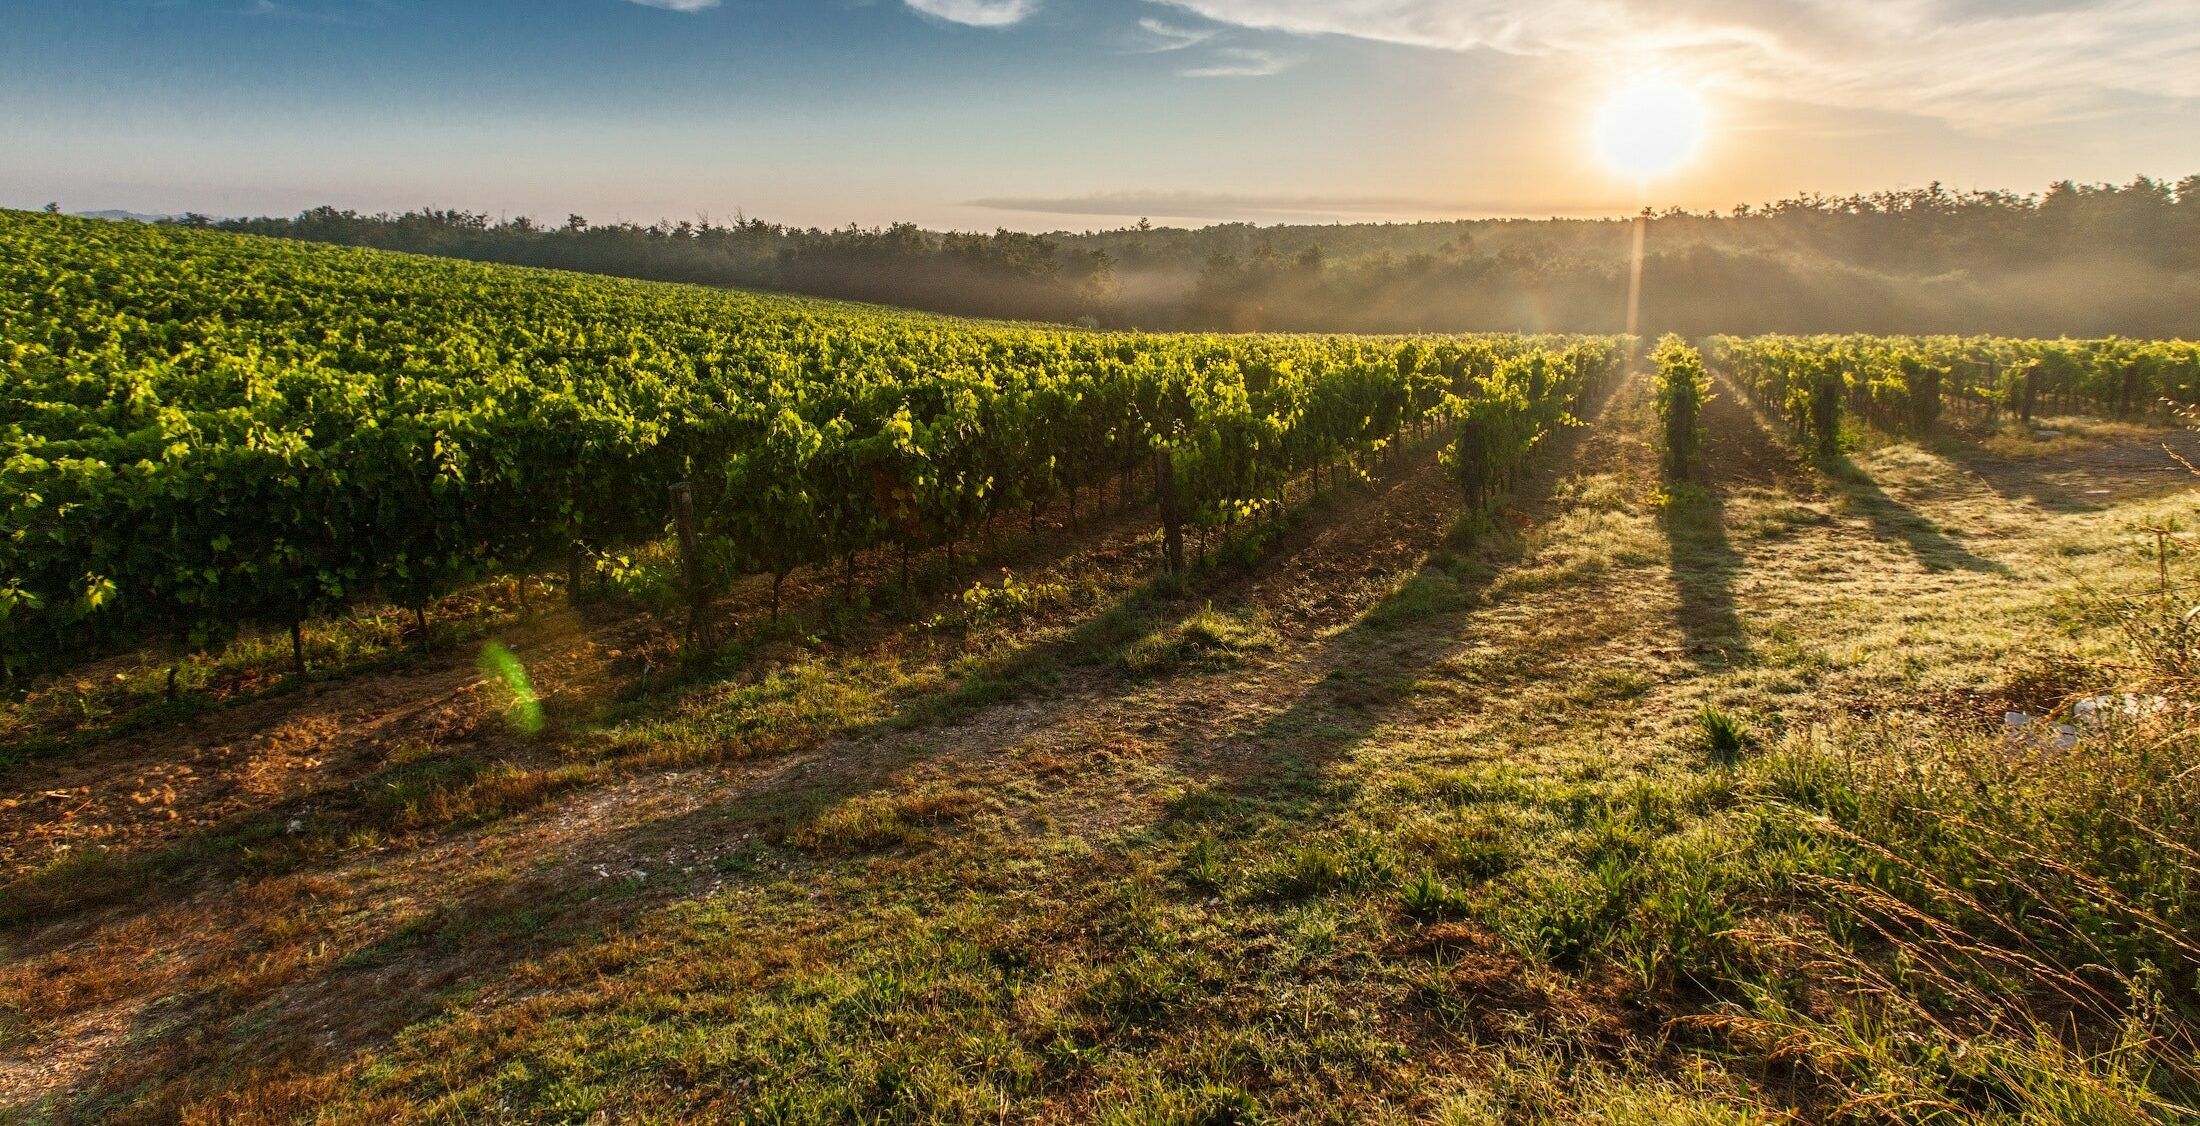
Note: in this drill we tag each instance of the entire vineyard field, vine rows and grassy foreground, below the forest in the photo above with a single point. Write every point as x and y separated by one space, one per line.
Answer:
1482 764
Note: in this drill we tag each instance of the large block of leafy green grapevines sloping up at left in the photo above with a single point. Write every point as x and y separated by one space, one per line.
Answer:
212 432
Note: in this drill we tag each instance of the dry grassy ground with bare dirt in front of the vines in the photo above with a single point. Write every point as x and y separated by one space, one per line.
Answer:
1369 830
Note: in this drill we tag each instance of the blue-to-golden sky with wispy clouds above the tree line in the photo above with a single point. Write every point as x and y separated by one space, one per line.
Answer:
1046 115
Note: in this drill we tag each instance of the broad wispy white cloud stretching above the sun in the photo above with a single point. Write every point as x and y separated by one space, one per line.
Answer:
1961 60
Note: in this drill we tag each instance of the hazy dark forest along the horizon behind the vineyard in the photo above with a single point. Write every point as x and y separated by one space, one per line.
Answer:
2078 261
